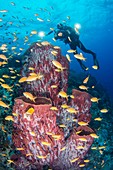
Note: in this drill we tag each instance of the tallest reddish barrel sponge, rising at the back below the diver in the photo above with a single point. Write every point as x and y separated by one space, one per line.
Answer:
40 57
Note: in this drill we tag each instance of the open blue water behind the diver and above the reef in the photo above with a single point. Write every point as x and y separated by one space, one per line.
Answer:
96 33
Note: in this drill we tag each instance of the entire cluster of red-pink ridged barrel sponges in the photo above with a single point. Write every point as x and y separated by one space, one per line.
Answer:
49 137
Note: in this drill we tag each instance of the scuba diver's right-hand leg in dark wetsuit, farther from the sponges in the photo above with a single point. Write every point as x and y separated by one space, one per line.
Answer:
82 47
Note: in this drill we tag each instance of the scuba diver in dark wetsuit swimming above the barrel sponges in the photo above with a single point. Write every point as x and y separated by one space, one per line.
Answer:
69 36
